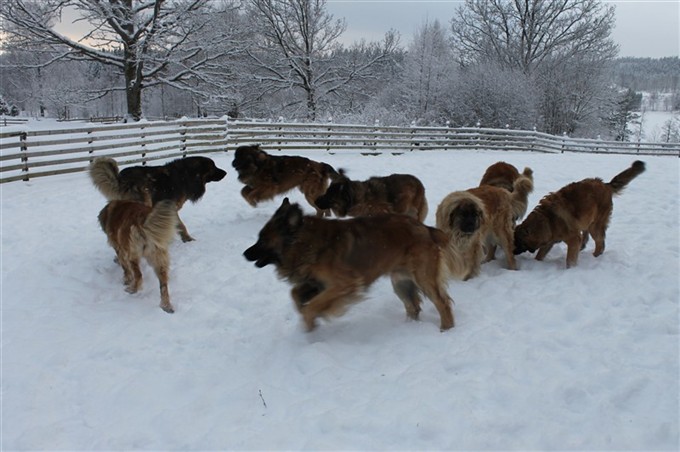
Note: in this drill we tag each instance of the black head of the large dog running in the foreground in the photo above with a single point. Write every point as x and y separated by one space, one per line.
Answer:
275 236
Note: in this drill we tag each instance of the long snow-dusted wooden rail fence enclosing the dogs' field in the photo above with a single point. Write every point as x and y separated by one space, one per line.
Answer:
26 153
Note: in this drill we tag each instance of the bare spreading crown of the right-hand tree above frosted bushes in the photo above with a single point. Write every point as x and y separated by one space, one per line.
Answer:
525 34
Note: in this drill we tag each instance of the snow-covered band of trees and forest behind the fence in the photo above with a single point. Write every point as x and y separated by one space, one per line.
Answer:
509 66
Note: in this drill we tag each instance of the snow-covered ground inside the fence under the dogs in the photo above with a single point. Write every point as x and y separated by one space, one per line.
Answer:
540 358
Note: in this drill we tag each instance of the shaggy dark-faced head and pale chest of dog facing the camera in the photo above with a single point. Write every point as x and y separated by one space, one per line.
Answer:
463 218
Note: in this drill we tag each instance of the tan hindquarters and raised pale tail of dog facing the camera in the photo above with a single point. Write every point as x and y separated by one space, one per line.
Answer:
501 208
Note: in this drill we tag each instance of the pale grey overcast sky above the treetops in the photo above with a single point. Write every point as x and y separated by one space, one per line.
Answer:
644 28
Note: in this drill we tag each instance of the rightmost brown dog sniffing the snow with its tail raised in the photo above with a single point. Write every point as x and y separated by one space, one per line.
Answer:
572 214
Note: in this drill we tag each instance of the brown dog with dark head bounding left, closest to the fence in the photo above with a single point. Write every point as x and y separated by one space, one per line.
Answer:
266 176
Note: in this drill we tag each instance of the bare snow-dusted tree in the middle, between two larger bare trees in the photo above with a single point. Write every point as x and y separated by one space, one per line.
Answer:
295 54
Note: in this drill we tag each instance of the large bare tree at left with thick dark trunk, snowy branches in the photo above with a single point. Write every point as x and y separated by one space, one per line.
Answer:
151 42
